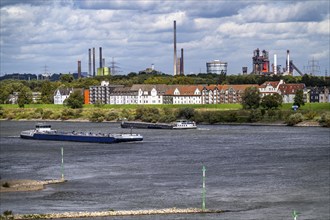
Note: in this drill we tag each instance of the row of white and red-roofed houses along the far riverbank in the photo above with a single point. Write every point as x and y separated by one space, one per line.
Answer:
191 94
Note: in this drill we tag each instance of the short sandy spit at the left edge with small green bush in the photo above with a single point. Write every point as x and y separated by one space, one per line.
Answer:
25 185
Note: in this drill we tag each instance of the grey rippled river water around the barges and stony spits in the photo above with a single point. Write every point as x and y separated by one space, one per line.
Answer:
253 172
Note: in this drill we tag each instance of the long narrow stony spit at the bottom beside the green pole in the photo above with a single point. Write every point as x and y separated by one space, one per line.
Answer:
168 211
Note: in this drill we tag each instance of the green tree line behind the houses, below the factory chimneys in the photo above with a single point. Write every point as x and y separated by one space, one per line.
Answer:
47 88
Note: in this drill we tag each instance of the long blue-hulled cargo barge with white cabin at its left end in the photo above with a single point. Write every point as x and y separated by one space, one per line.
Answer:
45 132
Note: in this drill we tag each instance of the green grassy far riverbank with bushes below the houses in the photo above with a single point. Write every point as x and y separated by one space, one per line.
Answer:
209 114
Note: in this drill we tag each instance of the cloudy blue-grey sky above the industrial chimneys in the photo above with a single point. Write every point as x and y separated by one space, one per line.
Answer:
57 33
